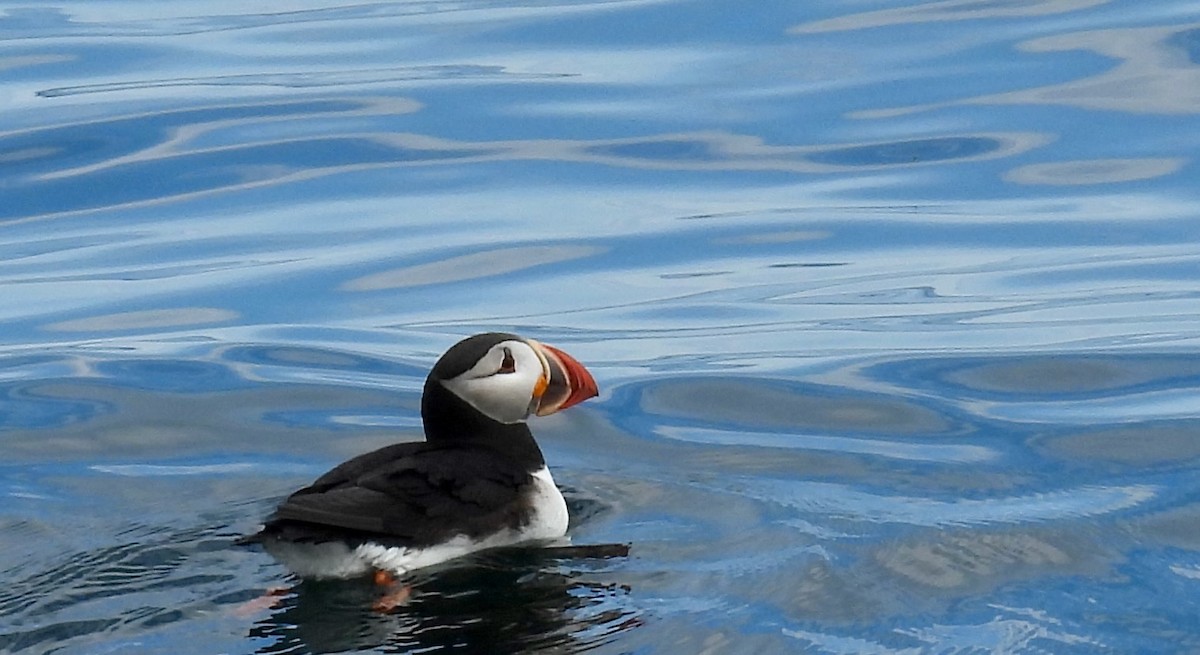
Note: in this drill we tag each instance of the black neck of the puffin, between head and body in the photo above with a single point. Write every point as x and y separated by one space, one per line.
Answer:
449 419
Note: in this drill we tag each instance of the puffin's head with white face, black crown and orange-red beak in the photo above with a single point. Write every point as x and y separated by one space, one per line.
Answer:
507 378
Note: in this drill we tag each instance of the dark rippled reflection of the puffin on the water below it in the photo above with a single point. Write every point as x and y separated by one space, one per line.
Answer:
511 600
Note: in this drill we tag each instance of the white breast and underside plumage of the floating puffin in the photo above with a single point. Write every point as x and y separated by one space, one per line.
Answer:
548 522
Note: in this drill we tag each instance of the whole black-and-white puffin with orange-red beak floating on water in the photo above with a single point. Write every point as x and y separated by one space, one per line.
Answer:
478 480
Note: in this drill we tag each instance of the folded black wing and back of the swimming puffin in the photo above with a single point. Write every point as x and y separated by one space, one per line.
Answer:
410 494
